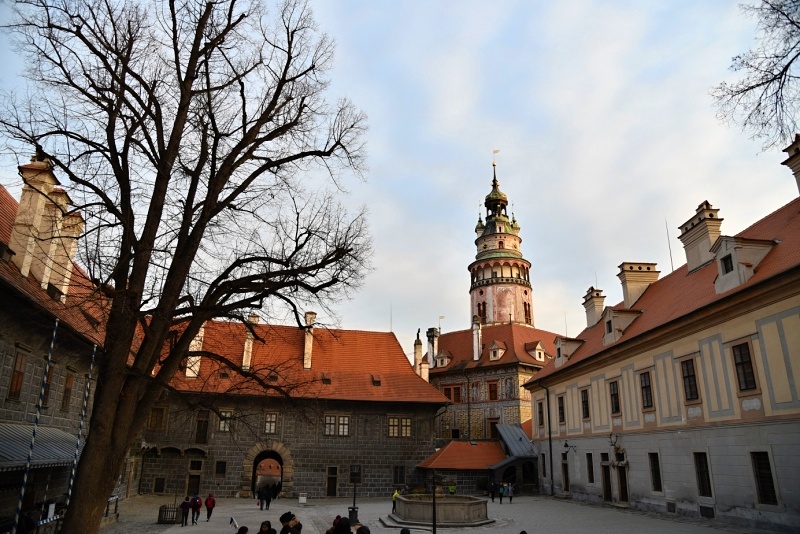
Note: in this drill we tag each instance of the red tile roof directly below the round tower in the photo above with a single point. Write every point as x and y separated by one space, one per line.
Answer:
513 336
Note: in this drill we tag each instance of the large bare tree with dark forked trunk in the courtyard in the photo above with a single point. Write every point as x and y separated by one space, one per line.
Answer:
201 150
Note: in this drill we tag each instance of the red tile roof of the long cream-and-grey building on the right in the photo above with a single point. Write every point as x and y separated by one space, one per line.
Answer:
681 293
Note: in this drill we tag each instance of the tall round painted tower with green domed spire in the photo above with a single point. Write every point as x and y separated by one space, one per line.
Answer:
500 290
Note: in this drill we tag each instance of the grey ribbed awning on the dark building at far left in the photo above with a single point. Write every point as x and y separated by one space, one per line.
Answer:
53 447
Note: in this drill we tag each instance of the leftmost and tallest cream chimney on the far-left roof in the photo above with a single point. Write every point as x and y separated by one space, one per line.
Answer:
28 235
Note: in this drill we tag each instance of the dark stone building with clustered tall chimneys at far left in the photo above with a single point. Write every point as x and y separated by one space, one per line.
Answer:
45 299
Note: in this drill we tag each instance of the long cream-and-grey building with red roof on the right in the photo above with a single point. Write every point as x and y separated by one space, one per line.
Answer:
681 398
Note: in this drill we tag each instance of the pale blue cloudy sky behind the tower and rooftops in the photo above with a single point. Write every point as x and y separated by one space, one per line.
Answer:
608 140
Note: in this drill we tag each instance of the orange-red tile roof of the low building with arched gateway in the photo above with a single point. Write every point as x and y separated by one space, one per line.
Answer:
359 366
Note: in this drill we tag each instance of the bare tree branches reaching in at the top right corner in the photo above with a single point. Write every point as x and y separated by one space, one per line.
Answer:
766 100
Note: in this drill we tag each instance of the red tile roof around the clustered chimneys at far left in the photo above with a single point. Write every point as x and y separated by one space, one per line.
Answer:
83 309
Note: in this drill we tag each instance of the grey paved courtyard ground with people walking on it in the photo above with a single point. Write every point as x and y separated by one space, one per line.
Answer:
138 515
